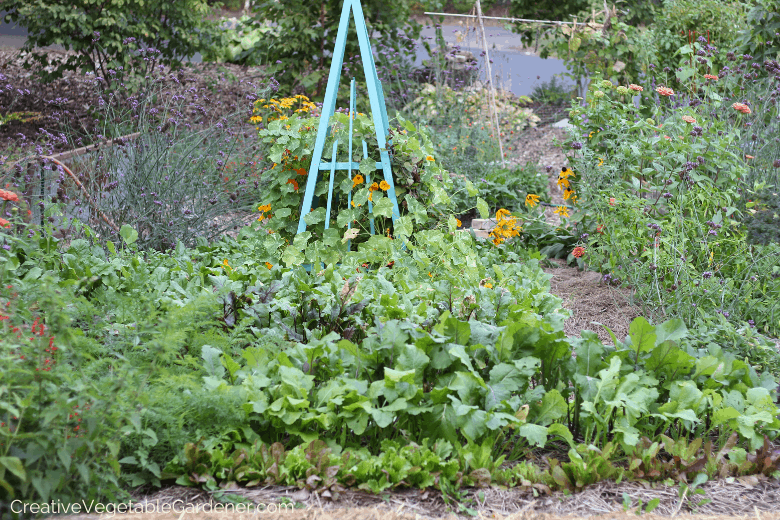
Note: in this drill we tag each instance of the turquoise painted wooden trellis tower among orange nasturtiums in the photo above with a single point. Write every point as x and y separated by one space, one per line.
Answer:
378 113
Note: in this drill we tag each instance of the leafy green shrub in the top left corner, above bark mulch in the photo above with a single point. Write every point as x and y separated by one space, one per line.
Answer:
108 35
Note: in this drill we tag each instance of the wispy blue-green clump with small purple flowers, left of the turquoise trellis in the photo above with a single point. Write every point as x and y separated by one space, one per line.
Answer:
167 161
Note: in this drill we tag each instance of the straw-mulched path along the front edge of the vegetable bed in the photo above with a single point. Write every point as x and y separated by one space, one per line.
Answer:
745 497
